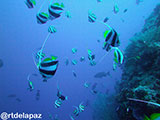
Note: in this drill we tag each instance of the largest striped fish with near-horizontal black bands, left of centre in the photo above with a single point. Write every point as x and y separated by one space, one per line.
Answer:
48 67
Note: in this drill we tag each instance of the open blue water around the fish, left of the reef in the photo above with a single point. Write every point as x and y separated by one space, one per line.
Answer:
20 36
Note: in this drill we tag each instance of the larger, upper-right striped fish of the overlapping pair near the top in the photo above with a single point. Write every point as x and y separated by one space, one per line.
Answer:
55 10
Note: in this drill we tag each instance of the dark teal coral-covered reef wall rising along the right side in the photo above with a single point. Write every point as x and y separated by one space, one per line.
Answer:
141 72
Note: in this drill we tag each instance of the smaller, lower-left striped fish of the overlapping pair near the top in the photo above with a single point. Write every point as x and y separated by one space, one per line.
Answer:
42 17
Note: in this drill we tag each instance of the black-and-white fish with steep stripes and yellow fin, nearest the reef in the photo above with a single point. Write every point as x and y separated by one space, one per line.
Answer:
111 39
